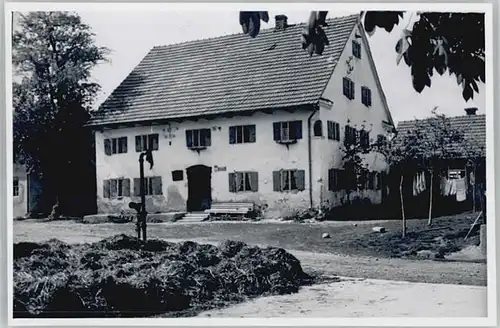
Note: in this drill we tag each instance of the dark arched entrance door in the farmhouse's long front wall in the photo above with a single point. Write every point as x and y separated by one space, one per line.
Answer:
199 188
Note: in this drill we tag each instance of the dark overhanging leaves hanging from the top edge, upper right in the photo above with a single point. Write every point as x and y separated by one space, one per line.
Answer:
438 42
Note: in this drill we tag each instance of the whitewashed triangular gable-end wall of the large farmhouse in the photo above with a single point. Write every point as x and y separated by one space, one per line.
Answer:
353 112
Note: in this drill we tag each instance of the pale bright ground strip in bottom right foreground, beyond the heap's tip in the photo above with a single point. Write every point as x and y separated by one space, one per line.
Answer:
366 298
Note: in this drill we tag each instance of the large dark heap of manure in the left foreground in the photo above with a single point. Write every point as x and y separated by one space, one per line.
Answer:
119 277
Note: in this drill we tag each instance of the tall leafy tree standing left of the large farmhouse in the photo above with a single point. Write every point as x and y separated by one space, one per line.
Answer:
53 55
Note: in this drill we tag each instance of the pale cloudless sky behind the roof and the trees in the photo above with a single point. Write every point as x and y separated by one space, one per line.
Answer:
131 34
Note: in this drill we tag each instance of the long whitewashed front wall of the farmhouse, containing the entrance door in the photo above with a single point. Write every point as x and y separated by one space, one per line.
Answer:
263 156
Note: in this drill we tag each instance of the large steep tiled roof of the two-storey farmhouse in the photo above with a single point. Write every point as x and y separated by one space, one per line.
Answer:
231 73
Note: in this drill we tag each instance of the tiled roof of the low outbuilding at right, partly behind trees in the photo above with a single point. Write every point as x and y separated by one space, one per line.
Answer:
473 127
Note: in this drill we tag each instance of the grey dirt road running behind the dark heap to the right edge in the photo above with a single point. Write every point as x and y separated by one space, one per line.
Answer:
325 263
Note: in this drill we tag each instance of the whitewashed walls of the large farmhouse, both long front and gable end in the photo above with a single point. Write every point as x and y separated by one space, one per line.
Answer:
263 156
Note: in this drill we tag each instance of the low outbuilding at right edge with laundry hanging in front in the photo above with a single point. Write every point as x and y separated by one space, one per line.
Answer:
460 182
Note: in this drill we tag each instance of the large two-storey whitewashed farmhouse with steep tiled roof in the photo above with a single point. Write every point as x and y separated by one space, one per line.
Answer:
241 119
